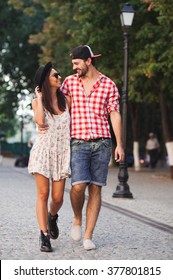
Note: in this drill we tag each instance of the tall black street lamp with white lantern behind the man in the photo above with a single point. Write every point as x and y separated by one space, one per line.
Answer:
122 190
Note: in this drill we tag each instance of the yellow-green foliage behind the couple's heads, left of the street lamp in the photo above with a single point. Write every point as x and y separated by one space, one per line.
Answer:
71 23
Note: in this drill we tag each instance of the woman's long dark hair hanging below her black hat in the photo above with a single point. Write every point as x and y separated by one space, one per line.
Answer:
46 90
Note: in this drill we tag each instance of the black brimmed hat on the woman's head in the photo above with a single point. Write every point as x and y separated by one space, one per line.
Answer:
41 73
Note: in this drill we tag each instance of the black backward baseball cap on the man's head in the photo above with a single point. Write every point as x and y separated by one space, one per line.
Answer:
83 52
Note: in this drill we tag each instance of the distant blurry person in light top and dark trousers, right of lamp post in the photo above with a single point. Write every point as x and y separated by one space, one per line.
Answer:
153 149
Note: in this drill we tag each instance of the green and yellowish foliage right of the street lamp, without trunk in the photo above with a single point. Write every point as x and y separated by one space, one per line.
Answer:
155 43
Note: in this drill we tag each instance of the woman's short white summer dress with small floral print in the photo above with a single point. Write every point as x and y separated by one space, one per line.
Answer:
50 154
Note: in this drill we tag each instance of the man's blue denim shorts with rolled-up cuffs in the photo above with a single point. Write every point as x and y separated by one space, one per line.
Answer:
90 160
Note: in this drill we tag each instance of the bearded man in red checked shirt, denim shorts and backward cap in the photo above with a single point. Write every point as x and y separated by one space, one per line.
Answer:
93 98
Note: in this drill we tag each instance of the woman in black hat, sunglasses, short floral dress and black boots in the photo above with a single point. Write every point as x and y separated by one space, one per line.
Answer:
50 154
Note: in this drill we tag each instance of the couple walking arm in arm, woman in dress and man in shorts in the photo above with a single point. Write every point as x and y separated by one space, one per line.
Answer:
74 140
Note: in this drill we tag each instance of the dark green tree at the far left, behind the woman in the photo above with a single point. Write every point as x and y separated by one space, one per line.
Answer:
18 58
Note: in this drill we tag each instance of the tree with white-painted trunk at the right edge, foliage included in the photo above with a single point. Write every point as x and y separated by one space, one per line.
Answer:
155 65
